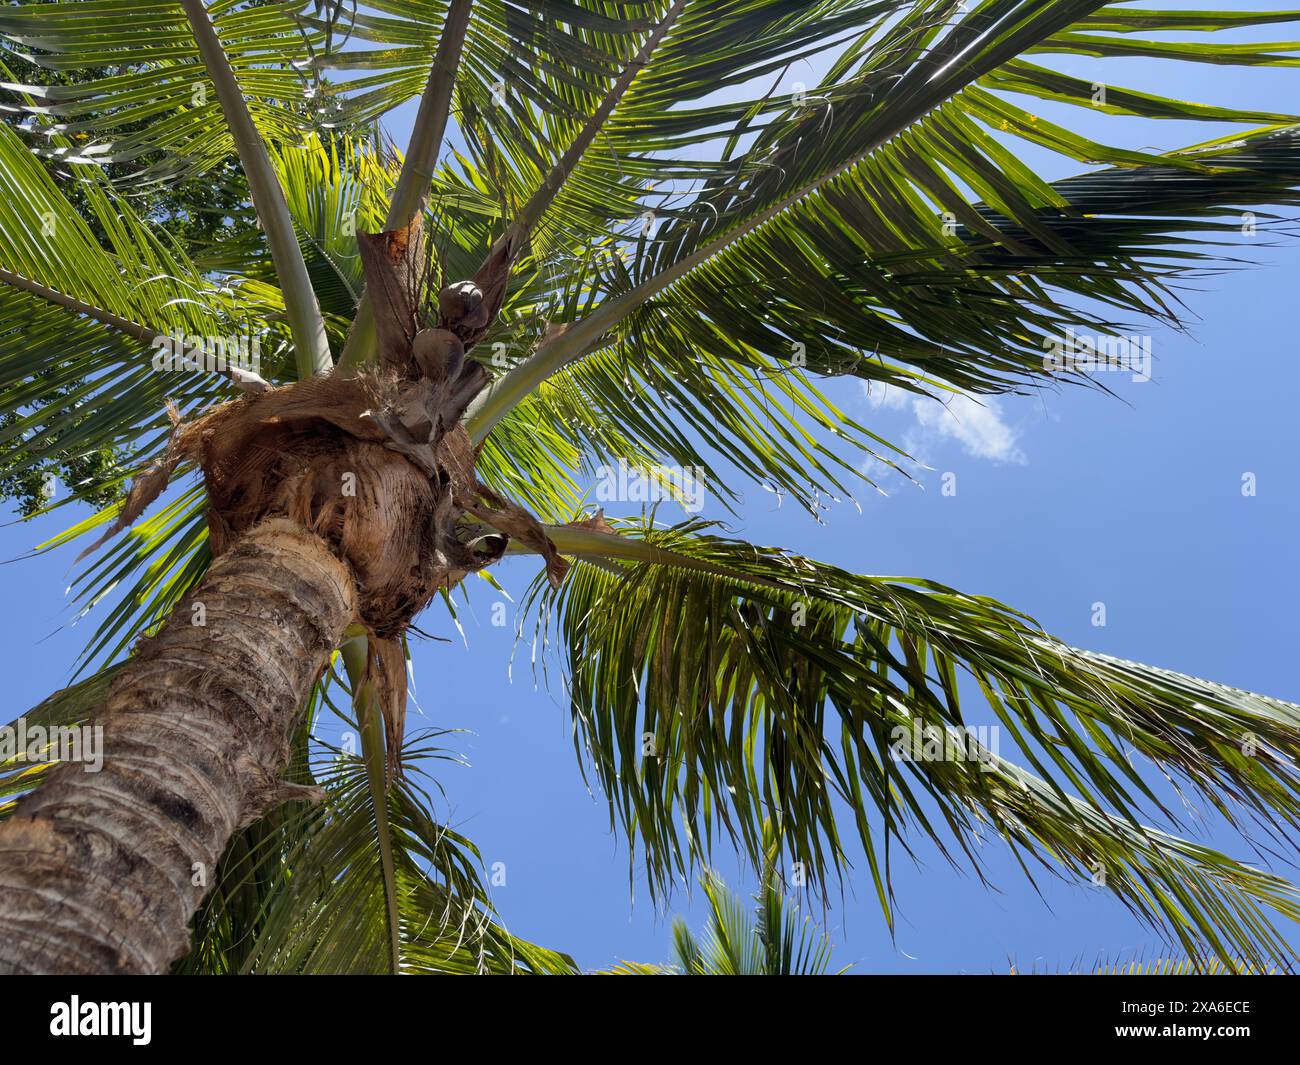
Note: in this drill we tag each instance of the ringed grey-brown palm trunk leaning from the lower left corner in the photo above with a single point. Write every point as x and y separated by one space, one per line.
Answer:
101 872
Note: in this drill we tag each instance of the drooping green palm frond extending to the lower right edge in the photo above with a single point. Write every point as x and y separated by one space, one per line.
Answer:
716 685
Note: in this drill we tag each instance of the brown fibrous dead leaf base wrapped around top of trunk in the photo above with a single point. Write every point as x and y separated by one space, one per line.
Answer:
378 465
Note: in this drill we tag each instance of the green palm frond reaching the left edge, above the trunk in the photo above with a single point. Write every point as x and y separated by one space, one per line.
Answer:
81 314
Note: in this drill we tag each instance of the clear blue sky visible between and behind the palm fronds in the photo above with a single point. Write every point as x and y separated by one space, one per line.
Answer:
1064 500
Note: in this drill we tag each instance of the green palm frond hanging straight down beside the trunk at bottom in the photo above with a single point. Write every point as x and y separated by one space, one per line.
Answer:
306 889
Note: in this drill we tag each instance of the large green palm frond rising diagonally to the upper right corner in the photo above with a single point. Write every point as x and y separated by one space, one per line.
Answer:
889 227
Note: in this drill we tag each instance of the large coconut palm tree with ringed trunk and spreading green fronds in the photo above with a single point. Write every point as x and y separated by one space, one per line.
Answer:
614 237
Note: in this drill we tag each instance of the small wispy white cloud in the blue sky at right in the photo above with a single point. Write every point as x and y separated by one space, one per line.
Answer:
974 423
